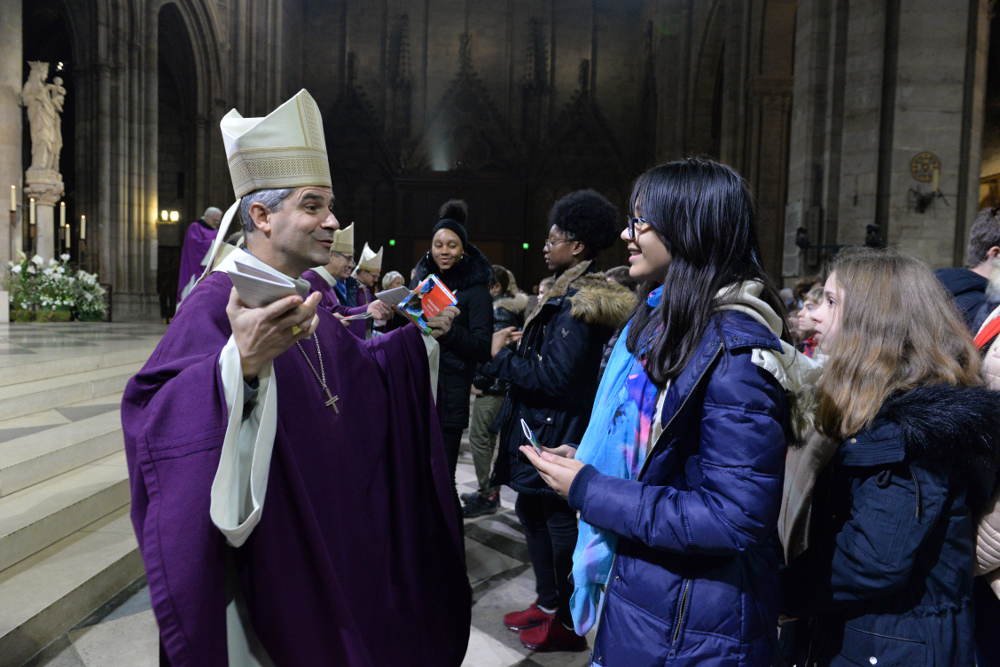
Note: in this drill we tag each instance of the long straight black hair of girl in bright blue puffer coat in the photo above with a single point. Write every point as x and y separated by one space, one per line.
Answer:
703 212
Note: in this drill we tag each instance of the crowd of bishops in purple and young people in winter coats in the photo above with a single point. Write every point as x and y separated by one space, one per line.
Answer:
709 470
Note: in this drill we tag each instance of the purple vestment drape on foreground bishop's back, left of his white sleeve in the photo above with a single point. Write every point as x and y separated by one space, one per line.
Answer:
174 417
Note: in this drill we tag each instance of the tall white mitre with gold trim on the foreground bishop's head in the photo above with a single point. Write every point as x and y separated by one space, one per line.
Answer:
285 149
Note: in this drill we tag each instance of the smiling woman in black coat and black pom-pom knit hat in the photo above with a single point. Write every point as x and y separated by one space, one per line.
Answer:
467 273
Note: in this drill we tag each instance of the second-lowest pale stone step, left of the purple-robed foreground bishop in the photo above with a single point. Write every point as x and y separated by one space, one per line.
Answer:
40 515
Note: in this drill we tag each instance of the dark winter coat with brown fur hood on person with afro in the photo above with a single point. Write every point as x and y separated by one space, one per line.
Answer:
553 372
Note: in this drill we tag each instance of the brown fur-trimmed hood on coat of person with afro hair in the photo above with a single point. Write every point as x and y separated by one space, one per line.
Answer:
593 299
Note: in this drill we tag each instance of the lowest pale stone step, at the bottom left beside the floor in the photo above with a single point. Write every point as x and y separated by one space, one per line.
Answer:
47 594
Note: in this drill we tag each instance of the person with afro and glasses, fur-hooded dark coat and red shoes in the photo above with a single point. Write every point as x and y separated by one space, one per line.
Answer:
553 376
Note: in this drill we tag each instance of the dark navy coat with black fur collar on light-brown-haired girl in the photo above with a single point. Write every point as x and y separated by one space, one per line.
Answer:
887 578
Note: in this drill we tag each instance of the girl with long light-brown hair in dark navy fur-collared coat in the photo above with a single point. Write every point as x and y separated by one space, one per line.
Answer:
887 577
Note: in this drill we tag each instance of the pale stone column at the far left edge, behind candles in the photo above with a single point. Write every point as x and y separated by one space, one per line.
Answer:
10 133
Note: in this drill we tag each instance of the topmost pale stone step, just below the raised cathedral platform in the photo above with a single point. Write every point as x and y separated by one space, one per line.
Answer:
31 397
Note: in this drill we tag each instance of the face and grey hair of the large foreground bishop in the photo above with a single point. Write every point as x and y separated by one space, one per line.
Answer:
299 234
